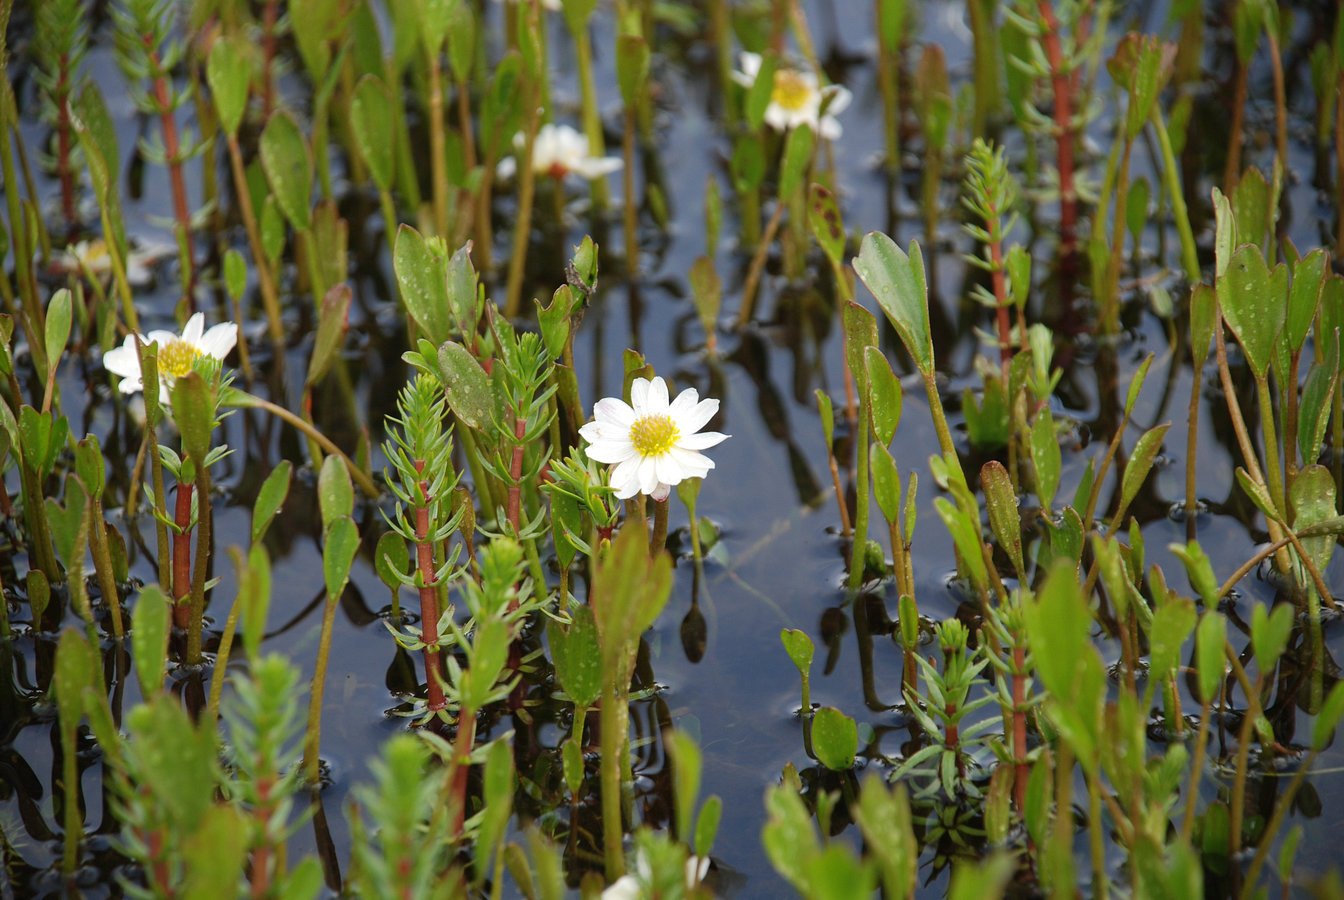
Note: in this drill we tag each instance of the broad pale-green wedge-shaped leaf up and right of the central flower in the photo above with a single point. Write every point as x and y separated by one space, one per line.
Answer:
897 281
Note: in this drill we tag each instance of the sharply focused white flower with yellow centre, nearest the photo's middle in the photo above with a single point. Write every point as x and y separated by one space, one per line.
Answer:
651 444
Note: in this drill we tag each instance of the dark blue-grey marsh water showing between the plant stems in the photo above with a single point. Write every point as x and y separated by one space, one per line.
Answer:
713 664
